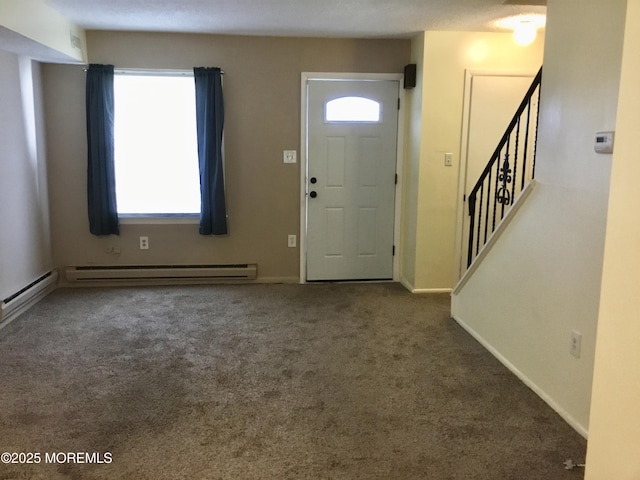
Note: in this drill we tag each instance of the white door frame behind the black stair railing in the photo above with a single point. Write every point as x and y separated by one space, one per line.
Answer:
459 257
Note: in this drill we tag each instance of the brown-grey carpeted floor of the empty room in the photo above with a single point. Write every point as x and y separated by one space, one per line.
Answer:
336 381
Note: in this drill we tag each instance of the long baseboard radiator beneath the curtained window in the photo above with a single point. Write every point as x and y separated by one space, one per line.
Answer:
160 274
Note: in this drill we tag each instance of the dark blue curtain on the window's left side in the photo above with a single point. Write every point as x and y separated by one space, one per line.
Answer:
101 185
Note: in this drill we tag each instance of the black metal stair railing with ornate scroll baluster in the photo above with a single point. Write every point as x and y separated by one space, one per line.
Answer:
510 169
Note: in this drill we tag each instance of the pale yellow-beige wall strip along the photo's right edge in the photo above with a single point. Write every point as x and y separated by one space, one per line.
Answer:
614 440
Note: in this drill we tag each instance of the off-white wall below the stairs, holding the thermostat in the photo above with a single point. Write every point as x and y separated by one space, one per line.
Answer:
542 278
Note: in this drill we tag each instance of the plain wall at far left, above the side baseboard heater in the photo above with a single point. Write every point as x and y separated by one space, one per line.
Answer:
24 209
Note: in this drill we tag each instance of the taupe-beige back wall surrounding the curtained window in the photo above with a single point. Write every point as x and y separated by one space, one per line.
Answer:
262 98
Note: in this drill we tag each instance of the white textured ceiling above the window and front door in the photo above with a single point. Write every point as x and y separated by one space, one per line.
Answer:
323 18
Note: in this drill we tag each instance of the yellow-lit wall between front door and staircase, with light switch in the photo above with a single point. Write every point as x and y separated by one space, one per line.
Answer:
442 59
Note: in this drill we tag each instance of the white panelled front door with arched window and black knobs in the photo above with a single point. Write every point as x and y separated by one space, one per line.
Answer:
352 128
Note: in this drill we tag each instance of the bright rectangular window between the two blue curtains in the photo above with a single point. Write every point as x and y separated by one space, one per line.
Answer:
156 153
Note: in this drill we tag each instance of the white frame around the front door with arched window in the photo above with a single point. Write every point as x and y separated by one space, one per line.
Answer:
329 76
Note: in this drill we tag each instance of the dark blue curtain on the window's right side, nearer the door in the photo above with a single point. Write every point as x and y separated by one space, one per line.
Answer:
210 122
